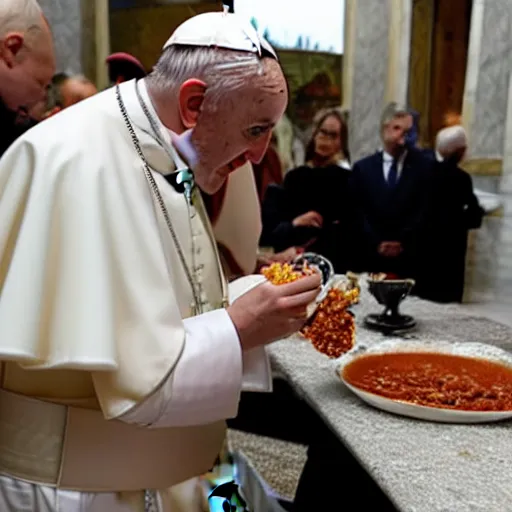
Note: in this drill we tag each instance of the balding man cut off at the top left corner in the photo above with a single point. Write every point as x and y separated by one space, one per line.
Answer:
27 64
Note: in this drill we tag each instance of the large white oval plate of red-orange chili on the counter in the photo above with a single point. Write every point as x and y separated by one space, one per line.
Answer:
436 381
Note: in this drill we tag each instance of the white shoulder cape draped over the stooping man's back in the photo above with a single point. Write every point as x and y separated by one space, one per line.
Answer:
84 277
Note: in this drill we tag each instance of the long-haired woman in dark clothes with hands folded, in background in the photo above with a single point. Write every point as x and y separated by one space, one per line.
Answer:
311 207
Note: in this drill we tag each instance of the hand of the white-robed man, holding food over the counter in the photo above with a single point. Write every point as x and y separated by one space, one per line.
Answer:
268 312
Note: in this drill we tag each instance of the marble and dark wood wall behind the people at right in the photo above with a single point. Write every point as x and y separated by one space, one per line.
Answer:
460 60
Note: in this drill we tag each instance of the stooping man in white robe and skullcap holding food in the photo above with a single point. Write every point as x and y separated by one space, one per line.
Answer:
122 348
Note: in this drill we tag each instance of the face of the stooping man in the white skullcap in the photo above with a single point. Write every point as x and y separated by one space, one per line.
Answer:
238 127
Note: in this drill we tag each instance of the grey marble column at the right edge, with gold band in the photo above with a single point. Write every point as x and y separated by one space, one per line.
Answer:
487 116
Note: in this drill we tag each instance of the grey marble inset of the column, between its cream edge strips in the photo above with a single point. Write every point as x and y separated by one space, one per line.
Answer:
369 74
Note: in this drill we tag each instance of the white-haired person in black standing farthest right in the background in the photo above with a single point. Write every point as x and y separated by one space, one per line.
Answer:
454 210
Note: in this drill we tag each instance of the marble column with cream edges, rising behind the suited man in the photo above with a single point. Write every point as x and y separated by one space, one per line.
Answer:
375 67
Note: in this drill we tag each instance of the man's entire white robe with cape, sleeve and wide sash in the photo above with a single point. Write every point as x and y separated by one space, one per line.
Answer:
108 385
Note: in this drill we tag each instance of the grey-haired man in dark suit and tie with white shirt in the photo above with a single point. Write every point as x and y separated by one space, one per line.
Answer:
389 192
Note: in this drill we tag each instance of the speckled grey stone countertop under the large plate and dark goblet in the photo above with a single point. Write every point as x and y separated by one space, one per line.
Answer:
423 467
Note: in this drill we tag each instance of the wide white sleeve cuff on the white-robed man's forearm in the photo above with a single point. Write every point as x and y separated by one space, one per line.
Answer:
206 384
